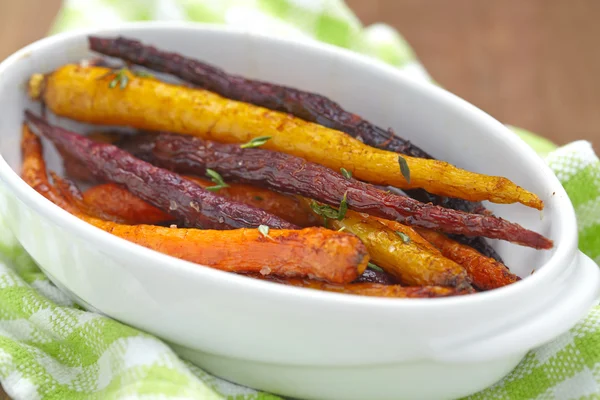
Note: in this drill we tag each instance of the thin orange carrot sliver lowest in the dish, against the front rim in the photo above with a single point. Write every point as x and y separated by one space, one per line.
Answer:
376 290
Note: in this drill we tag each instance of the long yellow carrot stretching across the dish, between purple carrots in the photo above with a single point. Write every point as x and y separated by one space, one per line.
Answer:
85 94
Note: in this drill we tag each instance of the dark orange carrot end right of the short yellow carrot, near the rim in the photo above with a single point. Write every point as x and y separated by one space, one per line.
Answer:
485 273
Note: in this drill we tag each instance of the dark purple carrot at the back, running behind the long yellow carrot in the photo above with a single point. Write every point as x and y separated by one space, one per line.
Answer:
308 106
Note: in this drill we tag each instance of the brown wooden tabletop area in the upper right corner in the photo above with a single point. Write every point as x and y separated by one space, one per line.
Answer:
530 63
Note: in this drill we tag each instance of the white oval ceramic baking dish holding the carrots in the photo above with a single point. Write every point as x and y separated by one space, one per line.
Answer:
298 342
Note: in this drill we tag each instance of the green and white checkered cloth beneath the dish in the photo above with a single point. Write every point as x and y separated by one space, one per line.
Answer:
51 349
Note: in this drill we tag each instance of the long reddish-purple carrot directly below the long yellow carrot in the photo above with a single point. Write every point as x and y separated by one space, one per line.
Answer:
293 175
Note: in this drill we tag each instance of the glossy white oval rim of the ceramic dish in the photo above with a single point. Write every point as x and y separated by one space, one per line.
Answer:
564 253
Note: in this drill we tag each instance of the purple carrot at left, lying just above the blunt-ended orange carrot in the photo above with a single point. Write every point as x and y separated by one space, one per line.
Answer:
185 200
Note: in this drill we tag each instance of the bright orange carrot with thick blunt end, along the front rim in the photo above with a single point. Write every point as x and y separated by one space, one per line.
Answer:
313 252
